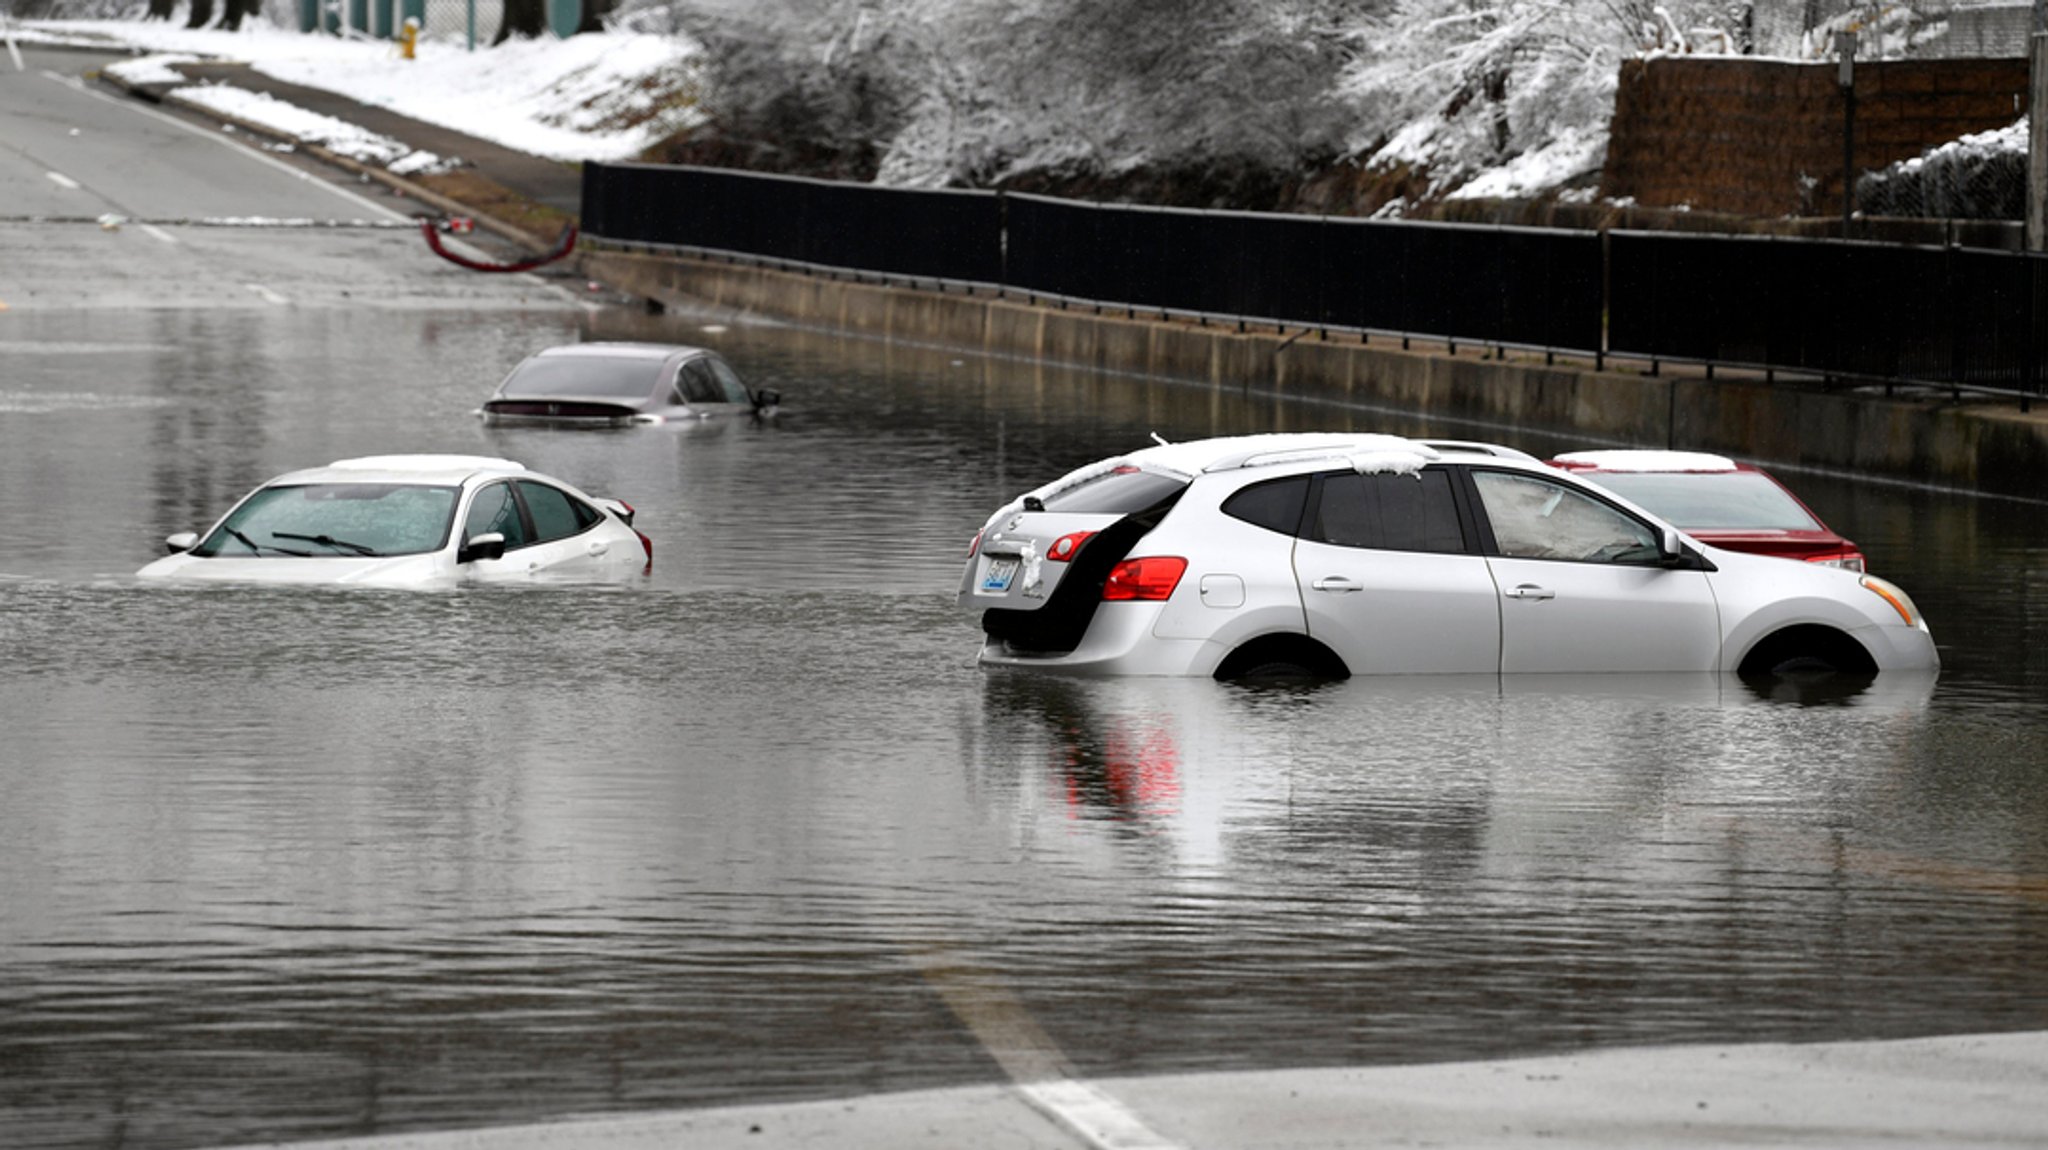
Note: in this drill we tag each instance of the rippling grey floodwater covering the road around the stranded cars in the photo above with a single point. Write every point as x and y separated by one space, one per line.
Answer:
290 865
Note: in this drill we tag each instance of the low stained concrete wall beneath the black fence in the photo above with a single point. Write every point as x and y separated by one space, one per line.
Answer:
1981 445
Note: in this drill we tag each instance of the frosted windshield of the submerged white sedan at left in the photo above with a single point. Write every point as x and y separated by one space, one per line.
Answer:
337 521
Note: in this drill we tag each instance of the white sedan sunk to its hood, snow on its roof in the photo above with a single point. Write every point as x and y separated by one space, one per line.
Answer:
413 521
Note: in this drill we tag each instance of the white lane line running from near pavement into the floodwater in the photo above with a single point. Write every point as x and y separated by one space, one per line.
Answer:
1033 1061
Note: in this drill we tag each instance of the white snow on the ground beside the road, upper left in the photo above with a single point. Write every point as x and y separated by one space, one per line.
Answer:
591 97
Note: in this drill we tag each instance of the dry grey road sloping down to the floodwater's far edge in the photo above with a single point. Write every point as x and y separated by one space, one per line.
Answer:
108 202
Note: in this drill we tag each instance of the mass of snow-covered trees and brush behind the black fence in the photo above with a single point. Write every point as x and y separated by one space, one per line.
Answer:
1183 101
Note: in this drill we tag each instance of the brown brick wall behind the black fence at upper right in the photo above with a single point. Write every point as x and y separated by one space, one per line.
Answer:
1738 134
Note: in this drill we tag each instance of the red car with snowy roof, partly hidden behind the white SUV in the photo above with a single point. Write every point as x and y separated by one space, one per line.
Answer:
1719 502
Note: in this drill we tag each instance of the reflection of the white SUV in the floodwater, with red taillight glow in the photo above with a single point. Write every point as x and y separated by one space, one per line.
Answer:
1420 764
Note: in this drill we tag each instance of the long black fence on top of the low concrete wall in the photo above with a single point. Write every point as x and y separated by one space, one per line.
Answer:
1949 316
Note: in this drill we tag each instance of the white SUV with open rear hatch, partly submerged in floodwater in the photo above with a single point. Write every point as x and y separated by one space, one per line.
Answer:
1355 554
